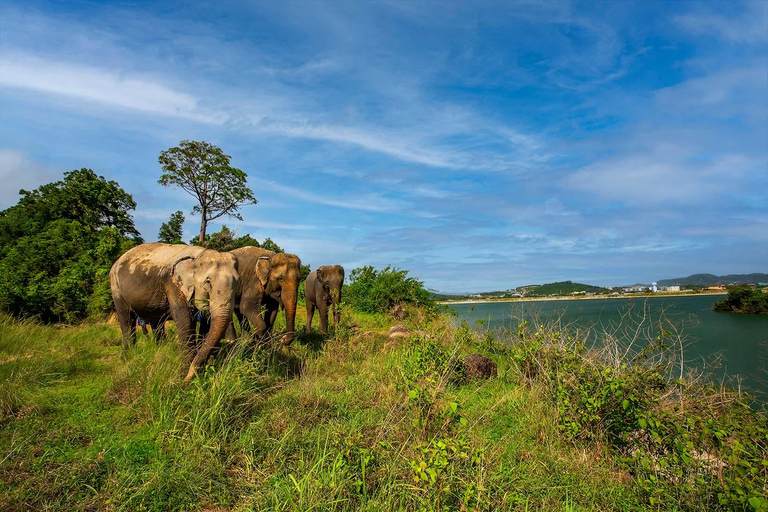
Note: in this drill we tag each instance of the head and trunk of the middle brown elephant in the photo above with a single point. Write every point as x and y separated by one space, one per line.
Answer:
279 275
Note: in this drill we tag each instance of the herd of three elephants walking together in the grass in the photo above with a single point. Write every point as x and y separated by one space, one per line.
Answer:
192 285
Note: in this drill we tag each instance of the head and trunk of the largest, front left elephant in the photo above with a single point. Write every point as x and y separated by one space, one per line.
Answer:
208 284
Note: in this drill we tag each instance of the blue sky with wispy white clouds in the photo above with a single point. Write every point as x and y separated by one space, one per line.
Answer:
480 145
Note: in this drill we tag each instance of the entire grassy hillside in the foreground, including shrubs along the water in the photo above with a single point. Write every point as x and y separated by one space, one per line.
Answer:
353 422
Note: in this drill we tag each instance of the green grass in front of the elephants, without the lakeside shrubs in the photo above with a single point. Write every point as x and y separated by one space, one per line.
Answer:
330 423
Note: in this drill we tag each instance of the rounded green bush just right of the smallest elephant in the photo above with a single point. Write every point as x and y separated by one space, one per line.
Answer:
377 291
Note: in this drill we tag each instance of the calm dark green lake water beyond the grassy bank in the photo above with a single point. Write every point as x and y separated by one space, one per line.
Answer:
741 340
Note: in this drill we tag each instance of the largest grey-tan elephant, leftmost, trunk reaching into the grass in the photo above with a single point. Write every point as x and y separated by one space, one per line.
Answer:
158 281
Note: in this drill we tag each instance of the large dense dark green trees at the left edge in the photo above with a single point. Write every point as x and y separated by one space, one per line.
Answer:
58 244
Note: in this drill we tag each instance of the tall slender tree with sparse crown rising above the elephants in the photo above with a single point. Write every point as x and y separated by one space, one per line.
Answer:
203 171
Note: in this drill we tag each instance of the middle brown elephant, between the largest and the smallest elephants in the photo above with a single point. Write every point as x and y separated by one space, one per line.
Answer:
268 281
